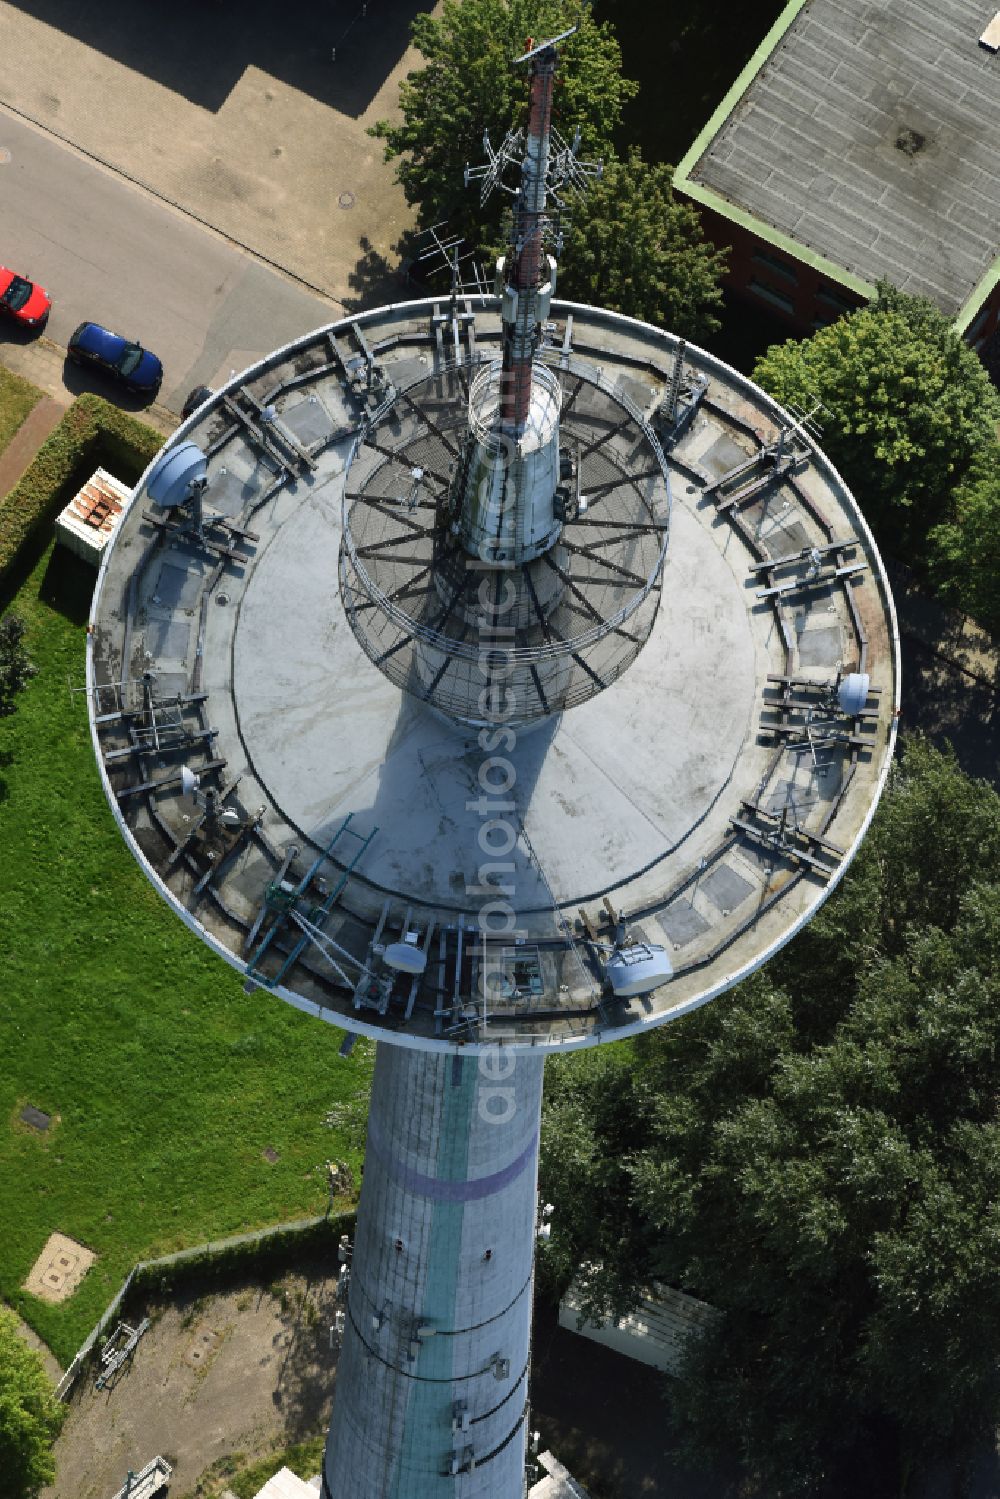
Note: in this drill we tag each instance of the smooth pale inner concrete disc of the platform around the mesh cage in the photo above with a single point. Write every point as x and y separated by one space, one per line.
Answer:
603 792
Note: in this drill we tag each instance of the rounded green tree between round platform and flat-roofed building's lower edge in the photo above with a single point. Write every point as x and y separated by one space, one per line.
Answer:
908 408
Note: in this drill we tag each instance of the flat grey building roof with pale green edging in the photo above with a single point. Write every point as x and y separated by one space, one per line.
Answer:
866 140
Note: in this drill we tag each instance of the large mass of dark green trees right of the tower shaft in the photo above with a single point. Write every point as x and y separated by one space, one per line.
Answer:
818 1155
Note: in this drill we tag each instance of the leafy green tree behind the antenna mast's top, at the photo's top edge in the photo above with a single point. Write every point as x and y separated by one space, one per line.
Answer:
469 85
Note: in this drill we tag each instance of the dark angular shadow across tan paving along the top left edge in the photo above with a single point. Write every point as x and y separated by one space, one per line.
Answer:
200 49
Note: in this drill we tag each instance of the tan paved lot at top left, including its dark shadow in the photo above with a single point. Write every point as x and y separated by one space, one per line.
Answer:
250 128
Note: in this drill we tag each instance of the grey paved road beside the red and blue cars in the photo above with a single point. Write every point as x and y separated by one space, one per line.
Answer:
110 253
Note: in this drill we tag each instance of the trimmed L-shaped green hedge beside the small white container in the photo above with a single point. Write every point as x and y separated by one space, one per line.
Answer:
92 435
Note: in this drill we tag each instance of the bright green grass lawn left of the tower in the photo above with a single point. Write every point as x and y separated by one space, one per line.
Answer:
164 1079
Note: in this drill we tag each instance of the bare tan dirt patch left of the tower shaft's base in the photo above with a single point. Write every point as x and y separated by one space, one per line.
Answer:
242 1372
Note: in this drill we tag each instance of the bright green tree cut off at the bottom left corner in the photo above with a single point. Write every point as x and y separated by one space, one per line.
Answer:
31 1416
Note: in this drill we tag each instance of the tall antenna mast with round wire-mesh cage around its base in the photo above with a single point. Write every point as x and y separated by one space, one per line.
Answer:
484 468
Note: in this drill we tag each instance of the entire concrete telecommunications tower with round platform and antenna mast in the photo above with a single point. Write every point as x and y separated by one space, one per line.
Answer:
493 677
